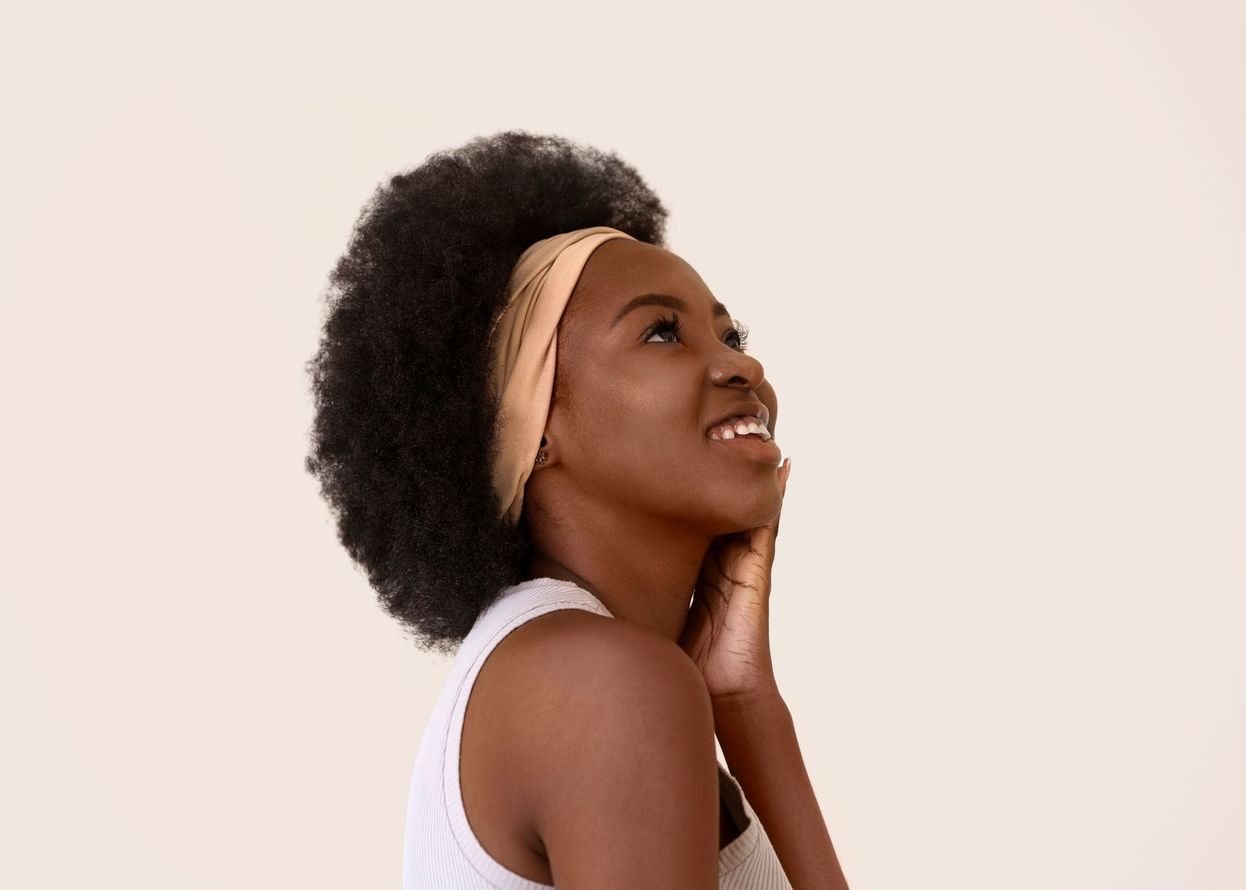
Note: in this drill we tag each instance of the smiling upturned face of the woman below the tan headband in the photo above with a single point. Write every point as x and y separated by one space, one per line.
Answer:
635 398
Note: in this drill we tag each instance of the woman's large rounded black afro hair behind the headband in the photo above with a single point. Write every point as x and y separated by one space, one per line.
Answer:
406 424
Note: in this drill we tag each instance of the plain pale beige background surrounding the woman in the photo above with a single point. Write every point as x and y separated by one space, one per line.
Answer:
991 255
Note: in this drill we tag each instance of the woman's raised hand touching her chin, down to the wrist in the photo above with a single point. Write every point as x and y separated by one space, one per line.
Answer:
727 633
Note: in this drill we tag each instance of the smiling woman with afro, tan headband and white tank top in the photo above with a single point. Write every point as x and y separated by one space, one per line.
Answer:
546 443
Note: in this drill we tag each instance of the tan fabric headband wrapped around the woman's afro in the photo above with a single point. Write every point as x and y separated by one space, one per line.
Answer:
524 343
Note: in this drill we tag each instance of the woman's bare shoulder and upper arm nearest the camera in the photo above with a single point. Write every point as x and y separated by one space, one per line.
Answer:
615 731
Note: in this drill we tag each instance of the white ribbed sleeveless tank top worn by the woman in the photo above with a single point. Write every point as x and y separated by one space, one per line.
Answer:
442 852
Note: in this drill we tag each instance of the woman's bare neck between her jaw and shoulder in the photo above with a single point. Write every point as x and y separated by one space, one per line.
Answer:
642 570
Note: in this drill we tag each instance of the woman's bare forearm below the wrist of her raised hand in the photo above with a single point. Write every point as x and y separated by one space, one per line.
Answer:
759 742
